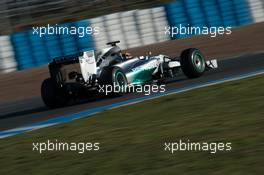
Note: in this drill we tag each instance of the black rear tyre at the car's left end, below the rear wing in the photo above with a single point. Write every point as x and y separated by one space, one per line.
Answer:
52 96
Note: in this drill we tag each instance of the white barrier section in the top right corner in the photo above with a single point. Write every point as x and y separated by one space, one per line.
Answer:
257 10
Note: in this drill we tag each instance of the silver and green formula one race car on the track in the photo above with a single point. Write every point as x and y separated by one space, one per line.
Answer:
77 76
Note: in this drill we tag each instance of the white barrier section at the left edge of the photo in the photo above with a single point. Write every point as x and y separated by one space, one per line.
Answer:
7 56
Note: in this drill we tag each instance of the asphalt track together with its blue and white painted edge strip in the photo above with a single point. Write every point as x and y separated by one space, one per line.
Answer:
28 115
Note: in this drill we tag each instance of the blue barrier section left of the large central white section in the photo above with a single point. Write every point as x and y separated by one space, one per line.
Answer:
31 50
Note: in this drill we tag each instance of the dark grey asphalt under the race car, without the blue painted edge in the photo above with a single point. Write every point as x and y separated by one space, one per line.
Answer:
25 112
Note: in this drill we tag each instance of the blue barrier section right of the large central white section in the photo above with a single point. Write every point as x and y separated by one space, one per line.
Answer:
210 13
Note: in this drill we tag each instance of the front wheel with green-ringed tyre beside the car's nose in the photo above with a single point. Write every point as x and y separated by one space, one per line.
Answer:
192 63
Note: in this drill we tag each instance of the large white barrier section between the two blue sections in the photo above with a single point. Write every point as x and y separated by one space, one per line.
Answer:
133 28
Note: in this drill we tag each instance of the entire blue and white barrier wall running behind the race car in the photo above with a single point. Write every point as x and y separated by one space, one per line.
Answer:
30 50
